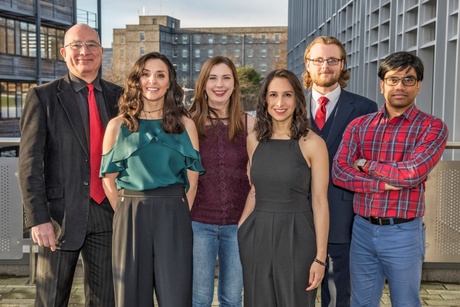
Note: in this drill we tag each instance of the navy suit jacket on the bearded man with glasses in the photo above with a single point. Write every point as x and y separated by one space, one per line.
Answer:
350 106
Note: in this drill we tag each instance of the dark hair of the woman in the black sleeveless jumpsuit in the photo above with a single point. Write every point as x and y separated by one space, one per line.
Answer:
264 126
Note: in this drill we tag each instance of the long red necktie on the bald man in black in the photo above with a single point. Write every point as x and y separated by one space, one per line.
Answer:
96 134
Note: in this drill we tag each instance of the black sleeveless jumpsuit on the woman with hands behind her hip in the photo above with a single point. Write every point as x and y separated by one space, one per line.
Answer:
277 241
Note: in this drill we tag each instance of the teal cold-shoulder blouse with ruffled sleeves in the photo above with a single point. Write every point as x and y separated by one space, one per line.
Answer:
150 158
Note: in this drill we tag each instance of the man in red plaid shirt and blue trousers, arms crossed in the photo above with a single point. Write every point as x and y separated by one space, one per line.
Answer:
385 158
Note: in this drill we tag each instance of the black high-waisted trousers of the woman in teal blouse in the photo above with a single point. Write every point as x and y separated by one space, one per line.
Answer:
152 248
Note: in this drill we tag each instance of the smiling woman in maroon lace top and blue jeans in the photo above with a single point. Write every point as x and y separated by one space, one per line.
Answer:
222 191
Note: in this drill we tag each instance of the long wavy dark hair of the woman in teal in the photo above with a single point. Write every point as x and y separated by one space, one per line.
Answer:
130 103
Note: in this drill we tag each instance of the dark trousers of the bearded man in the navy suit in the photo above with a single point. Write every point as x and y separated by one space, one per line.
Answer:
335 287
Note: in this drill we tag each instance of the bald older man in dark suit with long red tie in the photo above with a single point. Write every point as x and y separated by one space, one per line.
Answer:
60 150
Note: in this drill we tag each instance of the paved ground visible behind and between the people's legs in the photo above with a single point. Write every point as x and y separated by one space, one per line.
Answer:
17 292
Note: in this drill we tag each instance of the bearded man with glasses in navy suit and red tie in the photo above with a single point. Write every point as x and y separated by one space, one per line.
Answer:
331 109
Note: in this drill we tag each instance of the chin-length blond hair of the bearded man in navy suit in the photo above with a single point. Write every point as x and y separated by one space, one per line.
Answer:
326 40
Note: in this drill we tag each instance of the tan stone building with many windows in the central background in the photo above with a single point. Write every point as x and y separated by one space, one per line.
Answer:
261 48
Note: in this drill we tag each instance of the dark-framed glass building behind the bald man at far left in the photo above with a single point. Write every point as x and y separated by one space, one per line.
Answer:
24 27
